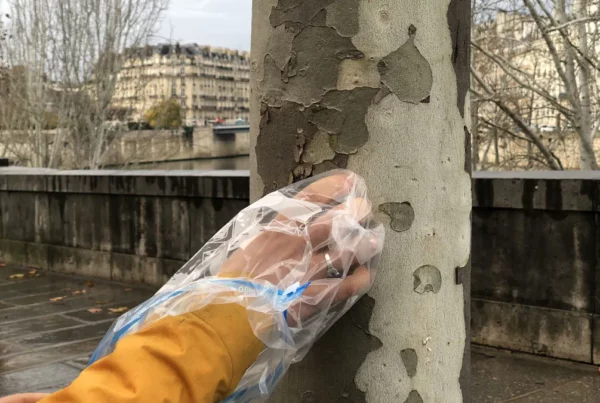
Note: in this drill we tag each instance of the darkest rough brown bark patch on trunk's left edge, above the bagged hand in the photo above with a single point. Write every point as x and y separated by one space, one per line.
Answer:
280 130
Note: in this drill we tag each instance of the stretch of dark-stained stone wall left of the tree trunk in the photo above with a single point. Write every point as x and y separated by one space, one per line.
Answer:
132 226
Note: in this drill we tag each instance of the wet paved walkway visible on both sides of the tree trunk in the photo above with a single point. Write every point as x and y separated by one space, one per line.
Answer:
49 325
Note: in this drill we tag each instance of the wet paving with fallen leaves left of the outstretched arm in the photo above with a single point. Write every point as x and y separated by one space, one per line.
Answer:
50 324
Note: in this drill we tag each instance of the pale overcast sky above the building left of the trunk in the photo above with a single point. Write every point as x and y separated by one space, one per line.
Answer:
208 22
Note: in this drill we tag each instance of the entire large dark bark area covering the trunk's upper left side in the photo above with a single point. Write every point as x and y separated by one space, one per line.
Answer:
307 57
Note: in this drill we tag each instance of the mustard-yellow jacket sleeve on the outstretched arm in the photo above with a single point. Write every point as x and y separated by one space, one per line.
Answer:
197 357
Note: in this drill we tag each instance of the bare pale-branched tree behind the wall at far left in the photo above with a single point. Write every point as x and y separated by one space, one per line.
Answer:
64 60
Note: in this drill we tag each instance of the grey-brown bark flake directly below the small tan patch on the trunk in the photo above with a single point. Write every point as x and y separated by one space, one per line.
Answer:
353 105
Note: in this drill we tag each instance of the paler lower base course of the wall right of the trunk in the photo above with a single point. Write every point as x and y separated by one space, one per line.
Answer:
535 330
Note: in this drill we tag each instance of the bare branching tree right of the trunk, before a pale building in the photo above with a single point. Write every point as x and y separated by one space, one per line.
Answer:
537 62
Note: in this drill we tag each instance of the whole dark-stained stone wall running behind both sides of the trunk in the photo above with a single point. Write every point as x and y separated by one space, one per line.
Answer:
536 270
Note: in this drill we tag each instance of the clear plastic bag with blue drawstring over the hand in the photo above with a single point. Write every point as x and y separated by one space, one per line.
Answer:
297 259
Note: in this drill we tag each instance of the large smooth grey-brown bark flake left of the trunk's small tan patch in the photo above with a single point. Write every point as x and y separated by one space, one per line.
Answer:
314 70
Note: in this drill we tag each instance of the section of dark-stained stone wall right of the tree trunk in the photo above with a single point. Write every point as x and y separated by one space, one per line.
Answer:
536 277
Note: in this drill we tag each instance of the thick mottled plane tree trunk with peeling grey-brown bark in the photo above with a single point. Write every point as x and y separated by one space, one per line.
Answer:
380 88
